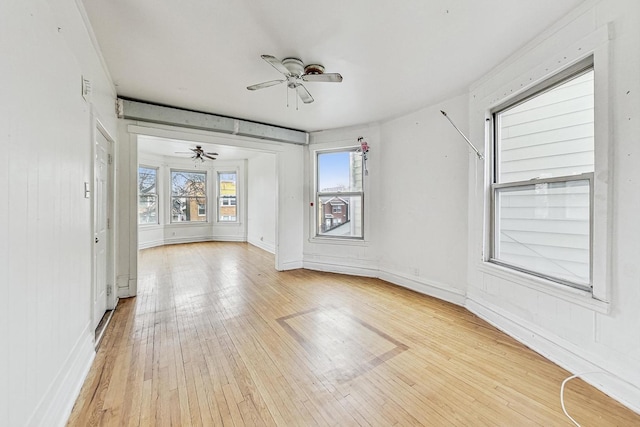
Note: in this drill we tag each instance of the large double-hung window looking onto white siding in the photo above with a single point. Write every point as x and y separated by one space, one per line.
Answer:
543 179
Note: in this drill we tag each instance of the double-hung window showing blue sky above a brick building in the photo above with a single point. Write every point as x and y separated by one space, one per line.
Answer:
340 194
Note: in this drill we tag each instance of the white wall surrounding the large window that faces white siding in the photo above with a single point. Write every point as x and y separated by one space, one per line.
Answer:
572 328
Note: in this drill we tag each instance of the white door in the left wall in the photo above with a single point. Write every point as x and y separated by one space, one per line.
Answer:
101 234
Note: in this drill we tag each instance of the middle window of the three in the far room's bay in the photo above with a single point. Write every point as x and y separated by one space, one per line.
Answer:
188 196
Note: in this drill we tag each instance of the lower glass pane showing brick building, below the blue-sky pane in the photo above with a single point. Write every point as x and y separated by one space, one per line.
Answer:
340 216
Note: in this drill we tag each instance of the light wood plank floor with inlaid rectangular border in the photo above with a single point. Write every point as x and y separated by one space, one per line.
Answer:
217 337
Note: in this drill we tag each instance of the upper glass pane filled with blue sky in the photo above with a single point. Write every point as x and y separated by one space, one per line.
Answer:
340 172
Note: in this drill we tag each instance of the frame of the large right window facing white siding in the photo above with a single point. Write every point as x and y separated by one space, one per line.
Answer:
582 67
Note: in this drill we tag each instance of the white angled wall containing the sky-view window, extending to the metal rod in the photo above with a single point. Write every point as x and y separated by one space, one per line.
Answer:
415 203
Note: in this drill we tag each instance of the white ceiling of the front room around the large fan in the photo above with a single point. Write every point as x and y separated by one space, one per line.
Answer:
395 56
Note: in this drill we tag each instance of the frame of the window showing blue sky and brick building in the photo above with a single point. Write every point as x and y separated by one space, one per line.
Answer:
340 194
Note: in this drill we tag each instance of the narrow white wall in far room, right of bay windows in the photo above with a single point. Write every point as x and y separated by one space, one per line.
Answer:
261 201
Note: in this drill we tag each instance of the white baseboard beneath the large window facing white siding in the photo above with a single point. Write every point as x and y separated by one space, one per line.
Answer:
559 352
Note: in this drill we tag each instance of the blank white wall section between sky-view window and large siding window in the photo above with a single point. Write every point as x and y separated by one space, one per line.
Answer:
423 200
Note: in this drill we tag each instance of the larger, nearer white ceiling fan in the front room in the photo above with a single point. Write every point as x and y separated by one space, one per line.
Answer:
295 72
